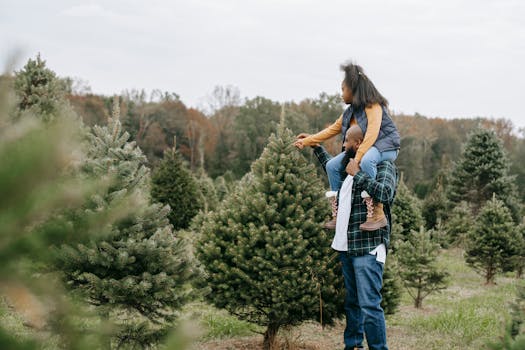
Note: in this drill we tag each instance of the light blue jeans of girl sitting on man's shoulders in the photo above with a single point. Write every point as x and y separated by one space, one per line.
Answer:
336 172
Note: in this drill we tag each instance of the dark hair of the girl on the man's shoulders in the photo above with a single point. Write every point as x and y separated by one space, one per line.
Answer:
363 90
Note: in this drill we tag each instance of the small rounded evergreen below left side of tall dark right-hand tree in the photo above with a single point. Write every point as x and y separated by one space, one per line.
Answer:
459 224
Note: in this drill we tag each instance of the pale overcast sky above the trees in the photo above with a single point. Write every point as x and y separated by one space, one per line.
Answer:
446 58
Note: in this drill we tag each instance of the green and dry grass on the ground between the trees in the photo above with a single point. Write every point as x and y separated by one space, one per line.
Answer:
464 316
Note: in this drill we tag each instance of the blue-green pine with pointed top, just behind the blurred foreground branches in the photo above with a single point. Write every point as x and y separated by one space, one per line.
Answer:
135 276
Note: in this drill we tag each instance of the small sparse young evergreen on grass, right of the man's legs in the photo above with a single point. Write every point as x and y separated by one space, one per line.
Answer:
417 264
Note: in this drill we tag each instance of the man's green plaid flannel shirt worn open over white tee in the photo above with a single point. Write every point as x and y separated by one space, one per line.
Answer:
382 189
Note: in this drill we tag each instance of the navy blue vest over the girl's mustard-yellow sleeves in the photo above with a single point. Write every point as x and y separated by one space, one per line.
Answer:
388 138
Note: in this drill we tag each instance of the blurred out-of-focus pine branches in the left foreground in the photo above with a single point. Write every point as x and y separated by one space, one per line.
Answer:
35 182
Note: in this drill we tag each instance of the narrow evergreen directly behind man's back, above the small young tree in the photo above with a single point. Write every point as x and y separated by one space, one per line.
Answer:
407 213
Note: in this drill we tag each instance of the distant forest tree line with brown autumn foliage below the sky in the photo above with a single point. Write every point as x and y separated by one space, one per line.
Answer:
232 132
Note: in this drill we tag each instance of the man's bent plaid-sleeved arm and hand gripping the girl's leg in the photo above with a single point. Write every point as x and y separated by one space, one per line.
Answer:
383 187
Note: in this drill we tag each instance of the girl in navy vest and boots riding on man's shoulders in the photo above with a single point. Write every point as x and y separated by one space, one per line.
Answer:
367 108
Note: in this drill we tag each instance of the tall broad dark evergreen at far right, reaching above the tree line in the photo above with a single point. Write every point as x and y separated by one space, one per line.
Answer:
483 170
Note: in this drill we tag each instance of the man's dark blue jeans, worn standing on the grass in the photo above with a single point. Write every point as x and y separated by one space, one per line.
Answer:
363 277
